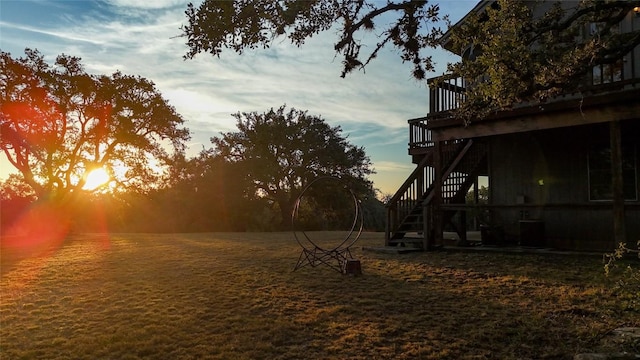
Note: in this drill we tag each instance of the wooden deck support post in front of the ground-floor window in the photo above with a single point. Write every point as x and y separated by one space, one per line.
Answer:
619 231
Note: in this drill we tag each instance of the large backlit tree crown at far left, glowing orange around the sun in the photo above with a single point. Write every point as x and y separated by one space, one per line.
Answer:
58 123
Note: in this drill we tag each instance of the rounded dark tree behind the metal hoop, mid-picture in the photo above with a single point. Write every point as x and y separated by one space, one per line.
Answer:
284 150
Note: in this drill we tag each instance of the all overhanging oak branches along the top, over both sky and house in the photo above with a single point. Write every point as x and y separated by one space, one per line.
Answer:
523 57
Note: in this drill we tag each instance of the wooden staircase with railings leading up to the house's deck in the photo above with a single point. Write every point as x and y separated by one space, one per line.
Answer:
414 209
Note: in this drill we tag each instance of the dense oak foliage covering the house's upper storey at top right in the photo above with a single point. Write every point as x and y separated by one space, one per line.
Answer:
517 54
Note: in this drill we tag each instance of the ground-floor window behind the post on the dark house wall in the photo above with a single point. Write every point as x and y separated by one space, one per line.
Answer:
600 187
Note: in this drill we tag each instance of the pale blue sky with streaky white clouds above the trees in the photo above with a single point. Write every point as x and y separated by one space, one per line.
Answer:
139 37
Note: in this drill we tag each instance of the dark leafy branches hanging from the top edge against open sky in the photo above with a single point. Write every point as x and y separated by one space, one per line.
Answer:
409 26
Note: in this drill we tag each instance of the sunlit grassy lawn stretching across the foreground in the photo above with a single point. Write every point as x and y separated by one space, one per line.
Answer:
235 296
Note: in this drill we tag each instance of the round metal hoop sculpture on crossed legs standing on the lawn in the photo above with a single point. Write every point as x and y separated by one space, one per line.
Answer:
335 257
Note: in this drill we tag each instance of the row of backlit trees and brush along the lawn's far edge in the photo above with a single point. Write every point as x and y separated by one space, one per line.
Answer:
60 123
